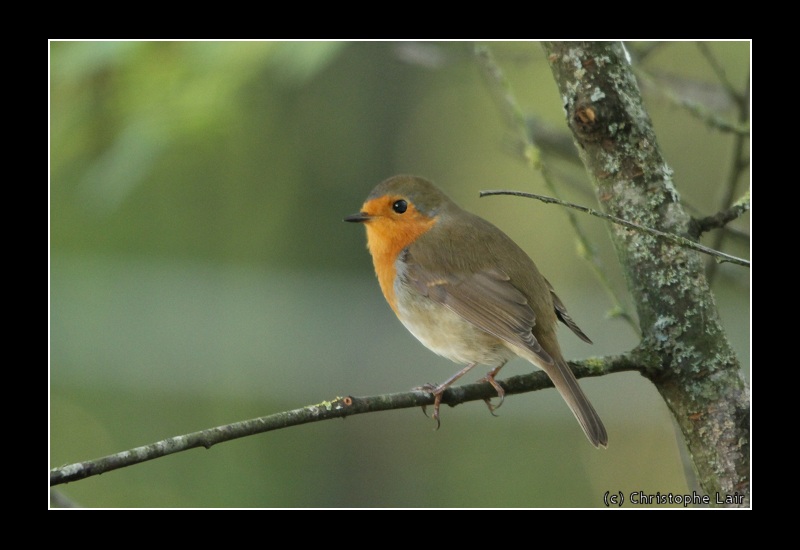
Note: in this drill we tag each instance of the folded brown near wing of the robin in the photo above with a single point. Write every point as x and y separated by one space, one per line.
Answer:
486 299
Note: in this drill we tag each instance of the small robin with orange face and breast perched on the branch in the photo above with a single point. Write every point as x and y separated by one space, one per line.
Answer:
467 291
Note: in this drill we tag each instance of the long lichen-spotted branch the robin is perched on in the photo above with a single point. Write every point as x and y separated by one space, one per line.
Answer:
338 407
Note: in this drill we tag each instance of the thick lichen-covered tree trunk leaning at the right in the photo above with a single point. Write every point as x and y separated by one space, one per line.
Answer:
684 350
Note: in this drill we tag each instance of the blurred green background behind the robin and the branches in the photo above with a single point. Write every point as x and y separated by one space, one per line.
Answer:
201 274
